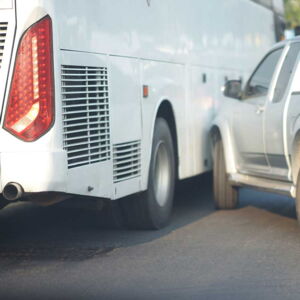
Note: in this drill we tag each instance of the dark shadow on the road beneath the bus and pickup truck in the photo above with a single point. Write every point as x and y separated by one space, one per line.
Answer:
30 233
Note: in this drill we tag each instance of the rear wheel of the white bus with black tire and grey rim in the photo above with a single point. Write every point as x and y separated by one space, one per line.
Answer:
152 209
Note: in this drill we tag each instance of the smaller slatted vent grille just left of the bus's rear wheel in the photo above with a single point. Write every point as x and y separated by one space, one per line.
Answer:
127 161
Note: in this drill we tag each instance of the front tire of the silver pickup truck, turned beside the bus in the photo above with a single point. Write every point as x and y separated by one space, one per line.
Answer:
225 195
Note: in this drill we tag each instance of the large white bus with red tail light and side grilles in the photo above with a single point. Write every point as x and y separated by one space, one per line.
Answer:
111 98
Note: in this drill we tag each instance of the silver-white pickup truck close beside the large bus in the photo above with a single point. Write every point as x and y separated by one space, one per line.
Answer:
256 133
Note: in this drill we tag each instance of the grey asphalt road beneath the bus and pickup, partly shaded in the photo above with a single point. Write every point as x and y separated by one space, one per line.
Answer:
61 253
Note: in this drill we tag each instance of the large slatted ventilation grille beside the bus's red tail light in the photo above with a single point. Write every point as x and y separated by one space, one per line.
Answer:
86 133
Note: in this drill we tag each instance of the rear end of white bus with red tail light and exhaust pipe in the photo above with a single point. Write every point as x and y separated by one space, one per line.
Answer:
31 157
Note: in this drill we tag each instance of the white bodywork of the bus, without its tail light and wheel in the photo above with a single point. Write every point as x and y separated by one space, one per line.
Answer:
181 50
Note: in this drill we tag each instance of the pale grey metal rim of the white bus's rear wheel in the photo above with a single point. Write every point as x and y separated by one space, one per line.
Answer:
162 174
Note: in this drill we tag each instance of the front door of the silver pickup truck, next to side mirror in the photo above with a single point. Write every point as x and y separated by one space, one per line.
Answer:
248 118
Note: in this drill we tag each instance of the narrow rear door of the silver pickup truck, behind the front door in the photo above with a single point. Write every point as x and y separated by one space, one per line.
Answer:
274 116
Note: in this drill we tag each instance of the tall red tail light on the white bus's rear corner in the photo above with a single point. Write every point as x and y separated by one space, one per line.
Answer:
30 107
